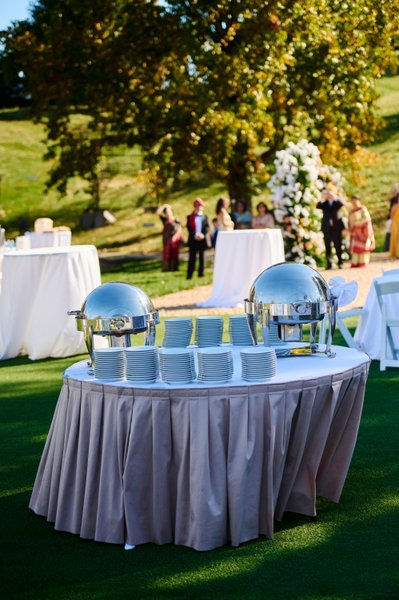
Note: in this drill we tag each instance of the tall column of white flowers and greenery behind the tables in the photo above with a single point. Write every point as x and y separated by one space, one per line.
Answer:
296 188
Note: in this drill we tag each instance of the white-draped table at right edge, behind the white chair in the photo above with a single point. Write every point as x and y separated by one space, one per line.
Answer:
368 331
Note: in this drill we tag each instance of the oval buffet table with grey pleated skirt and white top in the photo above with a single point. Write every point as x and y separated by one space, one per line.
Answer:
199 465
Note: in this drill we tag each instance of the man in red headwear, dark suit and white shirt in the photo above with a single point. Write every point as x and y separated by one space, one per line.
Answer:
198 227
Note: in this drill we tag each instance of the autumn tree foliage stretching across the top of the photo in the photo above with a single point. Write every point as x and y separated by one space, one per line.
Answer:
217 86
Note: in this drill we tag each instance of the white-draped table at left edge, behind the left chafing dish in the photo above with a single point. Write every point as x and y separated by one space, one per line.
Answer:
39 287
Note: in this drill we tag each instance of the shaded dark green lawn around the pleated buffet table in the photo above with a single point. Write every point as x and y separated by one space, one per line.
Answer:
350 552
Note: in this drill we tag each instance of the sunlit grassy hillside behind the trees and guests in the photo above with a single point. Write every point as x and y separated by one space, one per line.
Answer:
124 193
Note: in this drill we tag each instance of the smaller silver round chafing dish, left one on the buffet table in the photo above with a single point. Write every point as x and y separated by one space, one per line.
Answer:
116 310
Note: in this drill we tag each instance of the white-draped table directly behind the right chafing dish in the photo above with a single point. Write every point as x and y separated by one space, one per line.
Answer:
240 256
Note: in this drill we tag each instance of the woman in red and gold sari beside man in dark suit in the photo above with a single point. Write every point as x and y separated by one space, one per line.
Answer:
361 233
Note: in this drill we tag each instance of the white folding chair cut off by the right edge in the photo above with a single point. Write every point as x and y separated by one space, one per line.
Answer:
384 289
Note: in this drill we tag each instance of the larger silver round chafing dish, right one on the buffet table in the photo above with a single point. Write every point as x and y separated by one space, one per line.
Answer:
290 295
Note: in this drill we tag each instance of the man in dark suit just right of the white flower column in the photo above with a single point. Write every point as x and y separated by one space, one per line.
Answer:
332 225
